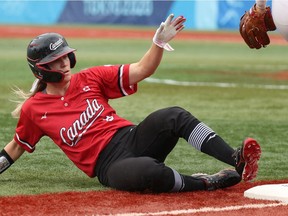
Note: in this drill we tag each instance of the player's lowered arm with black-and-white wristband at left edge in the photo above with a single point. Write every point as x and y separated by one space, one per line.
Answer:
9 155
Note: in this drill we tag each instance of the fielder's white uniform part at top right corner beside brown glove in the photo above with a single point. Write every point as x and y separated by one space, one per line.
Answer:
280 16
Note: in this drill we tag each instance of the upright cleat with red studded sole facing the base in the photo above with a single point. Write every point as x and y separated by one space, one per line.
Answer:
246 158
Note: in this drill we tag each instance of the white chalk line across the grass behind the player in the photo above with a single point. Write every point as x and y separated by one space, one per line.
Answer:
213 84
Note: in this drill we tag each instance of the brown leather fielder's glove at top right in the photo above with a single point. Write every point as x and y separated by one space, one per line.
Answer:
254 26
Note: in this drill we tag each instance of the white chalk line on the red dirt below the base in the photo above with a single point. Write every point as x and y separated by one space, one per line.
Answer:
204 210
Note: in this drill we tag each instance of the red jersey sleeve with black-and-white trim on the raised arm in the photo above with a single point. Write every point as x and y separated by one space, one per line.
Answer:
113 79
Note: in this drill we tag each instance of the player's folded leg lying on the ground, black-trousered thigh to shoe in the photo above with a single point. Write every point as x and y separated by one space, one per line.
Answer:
149 175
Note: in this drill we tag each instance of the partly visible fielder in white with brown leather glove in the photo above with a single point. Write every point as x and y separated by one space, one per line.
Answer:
255 23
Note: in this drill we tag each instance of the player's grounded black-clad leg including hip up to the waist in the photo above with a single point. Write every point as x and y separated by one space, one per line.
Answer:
136 173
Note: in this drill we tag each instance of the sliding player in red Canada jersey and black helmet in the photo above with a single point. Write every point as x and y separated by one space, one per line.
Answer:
73 110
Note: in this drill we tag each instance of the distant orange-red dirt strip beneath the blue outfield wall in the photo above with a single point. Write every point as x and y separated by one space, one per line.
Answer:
77 32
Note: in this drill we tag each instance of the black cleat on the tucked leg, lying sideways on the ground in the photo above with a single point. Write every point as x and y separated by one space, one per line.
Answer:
224 178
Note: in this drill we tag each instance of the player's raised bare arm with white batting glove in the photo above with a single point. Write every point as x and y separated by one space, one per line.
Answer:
152 58
